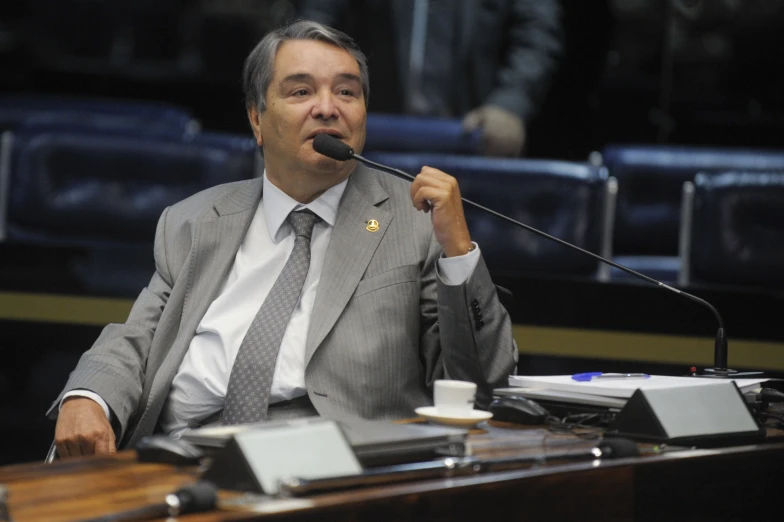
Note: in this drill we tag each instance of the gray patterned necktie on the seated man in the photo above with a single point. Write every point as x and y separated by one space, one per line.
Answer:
247 396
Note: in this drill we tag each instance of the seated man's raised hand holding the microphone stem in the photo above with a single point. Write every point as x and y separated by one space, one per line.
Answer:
437 191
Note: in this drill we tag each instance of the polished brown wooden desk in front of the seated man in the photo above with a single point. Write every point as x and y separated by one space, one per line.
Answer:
738 483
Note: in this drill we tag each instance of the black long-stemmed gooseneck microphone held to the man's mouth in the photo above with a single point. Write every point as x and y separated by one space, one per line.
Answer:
334 148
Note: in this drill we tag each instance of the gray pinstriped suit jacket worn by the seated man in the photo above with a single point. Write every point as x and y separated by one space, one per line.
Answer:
383 326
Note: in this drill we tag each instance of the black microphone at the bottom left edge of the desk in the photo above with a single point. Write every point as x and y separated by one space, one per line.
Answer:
194 498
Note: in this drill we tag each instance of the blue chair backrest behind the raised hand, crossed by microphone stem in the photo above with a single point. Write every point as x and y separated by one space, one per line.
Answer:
561 198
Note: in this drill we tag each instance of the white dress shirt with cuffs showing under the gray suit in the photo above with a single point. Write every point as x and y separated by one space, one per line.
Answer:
199 387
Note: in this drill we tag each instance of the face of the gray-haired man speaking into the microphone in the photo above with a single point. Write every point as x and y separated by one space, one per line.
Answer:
315 88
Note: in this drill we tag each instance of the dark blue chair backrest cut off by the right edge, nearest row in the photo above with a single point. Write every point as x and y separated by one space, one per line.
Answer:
738 228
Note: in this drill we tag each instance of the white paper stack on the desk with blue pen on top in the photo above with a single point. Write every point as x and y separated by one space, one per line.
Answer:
620 387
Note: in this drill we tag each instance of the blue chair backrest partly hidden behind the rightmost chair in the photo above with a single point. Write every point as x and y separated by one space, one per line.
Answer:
650 179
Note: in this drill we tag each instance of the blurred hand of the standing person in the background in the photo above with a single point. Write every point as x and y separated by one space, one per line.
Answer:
503 133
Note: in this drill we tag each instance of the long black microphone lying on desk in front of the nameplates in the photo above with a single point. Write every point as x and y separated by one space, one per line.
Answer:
613 448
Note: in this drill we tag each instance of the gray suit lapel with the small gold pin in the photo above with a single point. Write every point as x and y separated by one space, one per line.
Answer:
351 248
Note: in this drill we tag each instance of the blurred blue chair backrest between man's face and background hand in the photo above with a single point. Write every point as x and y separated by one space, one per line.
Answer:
396 133
